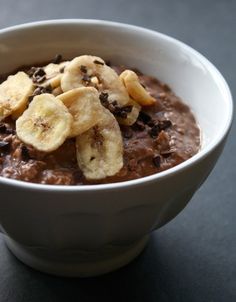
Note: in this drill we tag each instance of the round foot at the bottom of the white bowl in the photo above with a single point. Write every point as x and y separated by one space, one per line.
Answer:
77 263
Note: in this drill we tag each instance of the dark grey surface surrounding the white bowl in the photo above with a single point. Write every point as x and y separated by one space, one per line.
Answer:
193 258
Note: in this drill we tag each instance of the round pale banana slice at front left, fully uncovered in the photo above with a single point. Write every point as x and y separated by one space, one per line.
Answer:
45 124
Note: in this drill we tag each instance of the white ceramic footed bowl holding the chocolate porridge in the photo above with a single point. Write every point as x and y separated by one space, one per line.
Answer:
90 230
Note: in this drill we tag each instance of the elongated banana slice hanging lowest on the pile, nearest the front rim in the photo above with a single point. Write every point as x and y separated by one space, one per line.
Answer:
100 149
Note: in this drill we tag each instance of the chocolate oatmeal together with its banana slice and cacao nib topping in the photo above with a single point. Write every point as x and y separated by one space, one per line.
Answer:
152 133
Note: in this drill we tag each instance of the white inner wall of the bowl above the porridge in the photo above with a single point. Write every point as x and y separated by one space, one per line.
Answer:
188 73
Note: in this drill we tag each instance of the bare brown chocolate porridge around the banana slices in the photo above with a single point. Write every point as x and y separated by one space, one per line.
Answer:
164 135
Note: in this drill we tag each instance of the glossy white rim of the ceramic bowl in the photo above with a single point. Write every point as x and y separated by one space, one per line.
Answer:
203 153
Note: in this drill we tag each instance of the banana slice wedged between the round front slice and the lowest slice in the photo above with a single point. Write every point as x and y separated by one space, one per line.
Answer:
85 107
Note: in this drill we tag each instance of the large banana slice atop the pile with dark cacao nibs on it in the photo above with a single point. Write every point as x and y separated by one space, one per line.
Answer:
92 71
